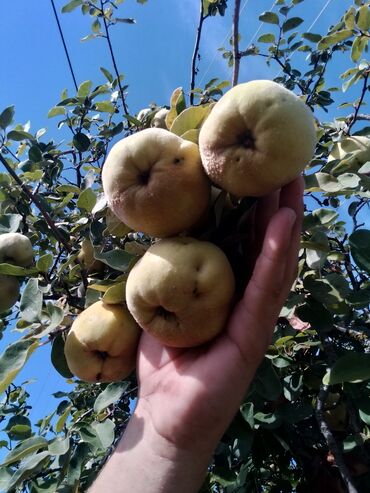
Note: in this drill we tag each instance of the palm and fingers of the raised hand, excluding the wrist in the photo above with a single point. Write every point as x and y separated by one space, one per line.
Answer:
184 390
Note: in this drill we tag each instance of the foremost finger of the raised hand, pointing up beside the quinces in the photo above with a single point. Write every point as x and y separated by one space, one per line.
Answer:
253 319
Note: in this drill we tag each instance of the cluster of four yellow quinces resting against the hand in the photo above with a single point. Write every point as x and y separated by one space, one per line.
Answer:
257 137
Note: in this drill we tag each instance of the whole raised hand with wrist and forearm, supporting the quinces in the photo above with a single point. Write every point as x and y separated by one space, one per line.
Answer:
188 397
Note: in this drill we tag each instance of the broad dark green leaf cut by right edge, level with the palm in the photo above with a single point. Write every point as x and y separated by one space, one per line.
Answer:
352 367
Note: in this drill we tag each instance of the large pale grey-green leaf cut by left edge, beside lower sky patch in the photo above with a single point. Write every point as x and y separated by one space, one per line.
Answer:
13 359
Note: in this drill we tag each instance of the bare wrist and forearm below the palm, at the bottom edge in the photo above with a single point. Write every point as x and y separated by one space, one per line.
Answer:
167 466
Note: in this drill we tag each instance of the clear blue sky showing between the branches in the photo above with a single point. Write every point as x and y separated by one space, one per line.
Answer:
155 57
